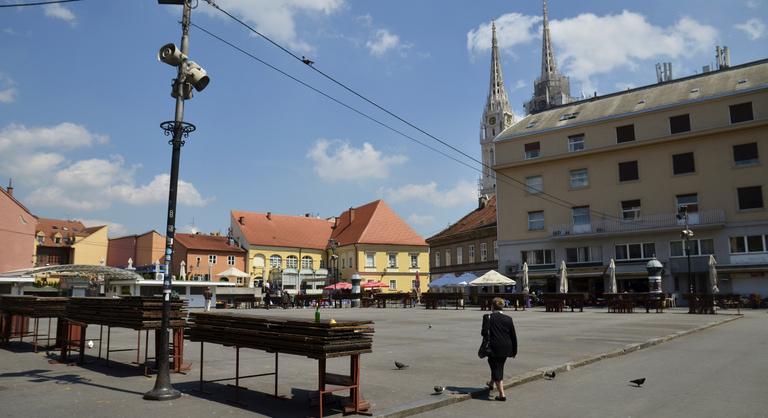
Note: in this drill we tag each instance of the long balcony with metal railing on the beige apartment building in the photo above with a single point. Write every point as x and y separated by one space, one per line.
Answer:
665 221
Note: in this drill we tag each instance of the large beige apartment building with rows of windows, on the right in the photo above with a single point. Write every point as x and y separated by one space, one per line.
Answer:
604 178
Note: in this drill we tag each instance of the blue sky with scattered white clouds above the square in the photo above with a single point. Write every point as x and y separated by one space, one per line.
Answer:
82 96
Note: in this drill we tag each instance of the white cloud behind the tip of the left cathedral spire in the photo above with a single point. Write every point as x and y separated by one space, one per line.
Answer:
511 29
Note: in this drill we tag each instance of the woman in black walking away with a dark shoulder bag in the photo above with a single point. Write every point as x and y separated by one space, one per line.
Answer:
502 342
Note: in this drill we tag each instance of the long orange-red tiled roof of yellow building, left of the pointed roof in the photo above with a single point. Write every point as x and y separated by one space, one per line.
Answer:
283 230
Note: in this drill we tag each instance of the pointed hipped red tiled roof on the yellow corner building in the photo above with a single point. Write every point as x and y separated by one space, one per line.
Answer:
374 223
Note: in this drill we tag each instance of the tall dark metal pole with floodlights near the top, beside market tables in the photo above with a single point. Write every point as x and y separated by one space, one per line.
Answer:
189 75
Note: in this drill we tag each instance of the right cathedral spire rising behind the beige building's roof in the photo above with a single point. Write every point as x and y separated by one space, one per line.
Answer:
551 88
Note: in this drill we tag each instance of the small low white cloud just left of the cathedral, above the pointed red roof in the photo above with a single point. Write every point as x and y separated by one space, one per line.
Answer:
462 193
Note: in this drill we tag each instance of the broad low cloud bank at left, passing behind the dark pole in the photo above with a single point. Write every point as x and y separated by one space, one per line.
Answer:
35 158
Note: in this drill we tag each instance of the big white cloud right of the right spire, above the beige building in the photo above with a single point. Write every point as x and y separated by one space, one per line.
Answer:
621 41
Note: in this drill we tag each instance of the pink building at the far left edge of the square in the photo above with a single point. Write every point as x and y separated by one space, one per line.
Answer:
17 233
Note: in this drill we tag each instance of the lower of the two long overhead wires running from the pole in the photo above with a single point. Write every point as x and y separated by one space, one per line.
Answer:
517 184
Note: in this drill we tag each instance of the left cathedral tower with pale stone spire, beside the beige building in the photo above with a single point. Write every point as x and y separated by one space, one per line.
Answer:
497 116
